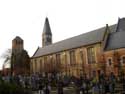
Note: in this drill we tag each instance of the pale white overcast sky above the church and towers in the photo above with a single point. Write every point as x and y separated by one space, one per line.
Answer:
68 18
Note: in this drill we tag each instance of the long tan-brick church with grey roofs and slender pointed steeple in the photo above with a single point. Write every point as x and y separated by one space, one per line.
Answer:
98 51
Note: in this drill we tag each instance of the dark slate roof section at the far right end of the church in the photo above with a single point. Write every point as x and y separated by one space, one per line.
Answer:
116 39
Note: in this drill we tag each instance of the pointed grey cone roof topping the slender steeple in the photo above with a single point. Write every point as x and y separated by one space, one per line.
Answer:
46 28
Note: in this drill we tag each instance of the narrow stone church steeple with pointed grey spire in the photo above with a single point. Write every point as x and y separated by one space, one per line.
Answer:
46 35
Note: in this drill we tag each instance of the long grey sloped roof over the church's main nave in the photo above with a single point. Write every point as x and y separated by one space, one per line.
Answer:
74 42
